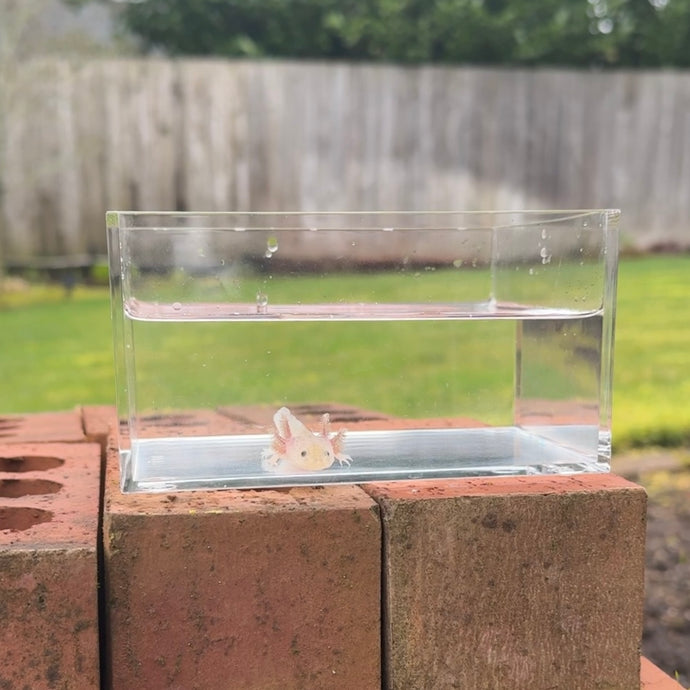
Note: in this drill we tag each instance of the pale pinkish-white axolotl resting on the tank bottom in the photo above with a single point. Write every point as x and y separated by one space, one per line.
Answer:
296 449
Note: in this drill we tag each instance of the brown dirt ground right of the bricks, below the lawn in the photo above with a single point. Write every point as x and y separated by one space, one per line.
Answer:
666 638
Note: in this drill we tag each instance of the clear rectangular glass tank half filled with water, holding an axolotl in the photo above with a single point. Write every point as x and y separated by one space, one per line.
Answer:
266 349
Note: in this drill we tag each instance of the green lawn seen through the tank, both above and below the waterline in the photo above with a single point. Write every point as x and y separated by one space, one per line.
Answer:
396 367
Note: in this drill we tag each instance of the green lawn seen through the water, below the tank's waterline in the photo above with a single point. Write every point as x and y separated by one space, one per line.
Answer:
385 366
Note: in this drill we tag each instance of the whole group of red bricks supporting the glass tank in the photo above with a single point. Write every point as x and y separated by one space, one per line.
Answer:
487 583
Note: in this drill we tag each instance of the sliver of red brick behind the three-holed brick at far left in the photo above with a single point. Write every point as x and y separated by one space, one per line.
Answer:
44 427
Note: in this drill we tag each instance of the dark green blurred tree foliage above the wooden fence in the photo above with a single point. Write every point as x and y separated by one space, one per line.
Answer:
637 33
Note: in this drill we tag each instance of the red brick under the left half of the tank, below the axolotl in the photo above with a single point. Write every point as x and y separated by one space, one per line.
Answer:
242 589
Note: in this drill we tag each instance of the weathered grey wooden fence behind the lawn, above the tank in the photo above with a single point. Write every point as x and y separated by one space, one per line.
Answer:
80 138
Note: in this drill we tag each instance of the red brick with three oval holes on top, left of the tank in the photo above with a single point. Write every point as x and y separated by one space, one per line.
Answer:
49 506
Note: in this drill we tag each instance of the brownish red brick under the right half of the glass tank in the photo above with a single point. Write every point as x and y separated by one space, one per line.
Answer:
513 582
